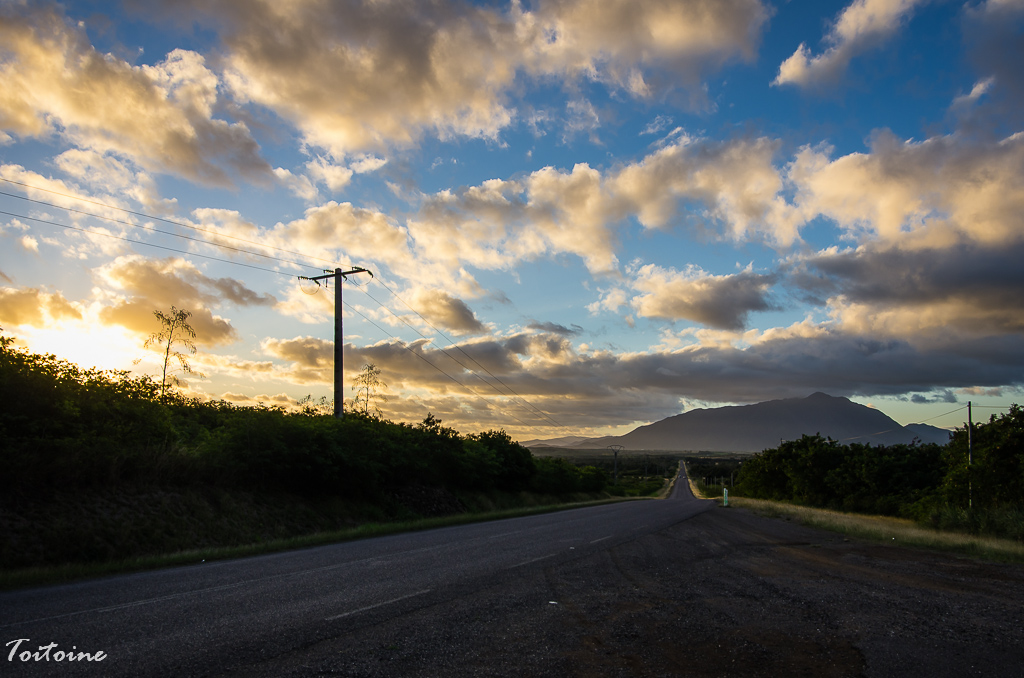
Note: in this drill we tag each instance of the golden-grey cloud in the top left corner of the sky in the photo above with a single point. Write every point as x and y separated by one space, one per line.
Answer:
54 82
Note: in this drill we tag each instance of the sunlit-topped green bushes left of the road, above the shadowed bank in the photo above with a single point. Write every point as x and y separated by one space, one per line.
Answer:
65 427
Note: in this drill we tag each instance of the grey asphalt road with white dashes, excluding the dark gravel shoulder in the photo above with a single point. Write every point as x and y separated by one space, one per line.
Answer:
215 618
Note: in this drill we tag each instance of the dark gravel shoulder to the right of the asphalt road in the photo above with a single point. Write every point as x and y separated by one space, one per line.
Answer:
724 594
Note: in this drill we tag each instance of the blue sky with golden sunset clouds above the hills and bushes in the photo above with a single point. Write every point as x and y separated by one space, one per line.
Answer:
581 217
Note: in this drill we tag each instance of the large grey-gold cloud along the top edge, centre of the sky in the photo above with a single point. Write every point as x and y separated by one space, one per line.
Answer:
371 76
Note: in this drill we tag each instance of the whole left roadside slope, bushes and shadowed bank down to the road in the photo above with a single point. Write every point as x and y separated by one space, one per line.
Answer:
104 467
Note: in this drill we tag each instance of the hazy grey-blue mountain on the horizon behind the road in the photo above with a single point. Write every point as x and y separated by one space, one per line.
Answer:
757 428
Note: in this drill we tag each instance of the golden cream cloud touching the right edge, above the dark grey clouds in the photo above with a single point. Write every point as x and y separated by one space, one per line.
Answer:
919 194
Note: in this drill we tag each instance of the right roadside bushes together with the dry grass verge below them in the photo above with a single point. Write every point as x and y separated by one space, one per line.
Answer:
923 495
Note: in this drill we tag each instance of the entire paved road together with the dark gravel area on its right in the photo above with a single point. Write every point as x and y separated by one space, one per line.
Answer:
654 588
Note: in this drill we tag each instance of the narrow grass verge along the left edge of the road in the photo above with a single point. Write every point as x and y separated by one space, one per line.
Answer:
31 577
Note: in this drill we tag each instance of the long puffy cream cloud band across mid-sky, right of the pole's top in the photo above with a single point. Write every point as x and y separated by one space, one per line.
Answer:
729 187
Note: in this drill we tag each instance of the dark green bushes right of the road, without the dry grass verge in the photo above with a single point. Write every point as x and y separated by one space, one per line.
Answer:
932 484
